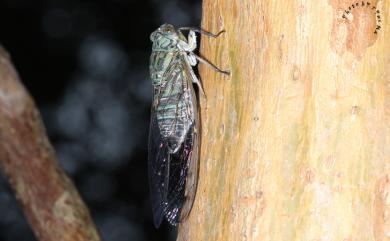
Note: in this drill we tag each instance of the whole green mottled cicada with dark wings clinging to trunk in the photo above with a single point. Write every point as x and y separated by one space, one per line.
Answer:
174 127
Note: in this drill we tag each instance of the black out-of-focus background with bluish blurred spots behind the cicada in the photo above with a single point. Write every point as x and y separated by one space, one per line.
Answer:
86 65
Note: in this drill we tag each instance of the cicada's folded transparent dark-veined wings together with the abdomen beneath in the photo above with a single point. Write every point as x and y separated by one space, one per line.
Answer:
173 161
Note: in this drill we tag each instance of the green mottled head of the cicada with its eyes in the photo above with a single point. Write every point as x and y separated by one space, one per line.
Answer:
165 38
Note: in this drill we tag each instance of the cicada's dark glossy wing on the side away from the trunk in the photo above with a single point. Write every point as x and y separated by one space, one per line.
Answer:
158 166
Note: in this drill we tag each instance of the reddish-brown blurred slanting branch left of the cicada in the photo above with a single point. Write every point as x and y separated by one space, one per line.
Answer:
49 200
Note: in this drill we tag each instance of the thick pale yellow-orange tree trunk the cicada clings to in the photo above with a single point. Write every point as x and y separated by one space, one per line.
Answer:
296 142
